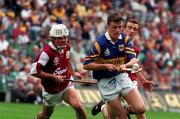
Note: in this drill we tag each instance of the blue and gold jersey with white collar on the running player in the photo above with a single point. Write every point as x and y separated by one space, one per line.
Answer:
105 51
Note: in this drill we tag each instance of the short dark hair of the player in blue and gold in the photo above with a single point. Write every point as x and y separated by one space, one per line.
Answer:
114 17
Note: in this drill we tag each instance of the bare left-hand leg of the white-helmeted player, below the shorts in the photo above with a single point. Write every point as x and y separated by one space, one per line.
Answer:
46 112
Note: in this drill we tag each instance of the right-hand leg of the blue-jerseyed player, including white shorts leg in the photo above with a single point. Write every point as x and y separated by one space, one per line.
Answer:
131 94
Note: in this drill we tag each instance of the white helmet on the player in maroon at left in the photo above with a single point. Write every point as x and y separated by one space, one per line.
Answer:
58 30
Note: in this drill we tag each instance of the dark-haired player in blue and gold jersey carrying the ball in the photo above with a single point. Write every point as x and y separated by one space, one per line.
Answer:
105 58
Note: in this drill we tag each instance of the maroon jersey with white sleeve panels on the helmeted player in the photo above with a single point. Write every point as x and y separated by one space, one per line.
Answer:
51 61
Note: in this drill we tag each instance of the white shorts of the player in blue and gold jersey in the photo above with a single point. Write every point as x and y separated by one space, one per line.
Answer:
111 88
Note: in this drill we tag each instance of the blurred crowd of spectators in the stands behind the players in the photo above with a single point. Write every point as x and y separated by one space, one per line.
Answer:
24 27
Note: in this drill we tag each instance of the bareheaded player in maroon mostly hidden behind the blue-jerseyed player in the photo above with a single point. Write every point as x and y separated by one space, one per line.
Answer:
131 28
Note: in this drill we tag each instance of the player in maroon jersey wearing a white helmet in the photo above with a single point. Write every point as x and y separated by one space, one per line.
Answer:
52 66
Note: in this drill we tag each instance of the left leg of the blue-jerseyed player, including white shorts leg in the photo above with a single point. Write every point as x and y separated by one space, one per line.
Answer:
110 91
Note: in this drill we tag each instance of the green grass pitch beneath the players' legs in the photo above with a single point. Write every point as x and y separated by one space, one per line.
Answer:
28 111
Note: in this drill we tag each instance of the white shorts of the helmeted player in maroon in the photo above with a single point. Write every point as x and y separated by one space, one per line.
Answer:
53 99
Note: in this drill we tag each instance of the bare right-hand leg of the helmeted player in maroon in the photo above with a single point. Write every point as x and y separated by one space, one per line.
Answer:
71 97
